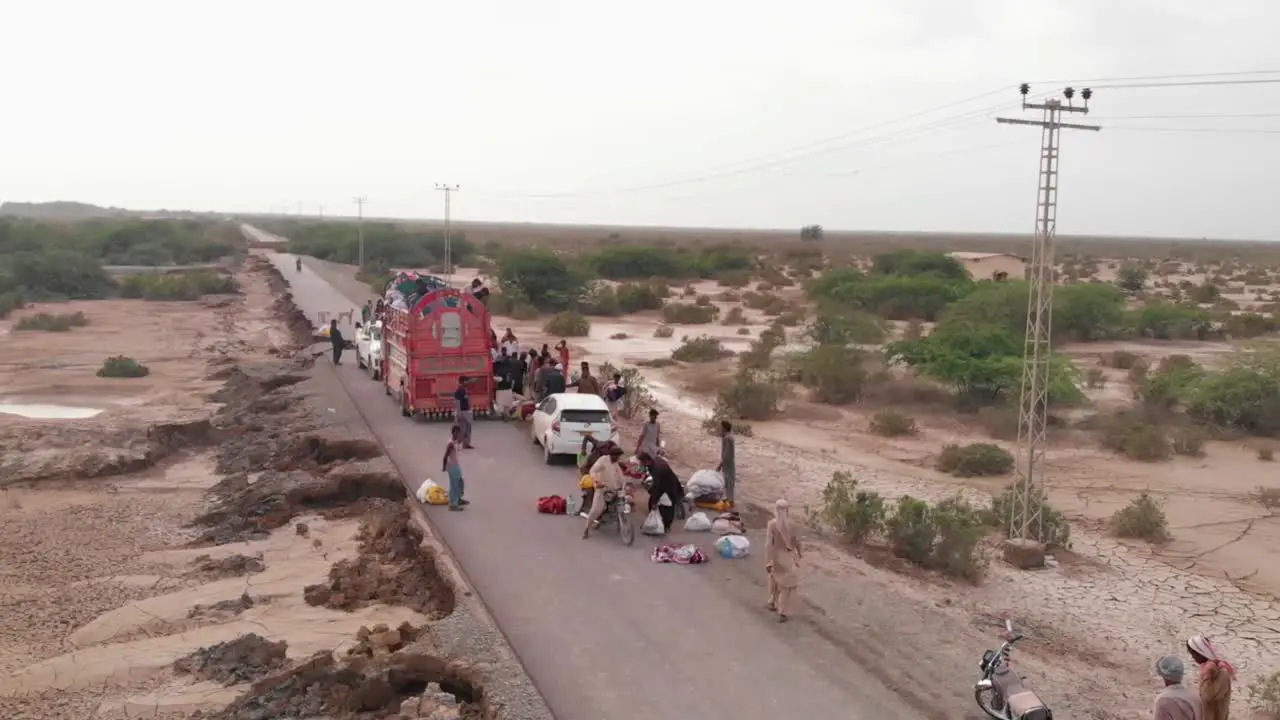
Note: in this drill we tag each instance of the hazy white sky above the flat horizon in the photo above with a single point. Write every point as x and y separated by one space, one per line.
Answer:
254 107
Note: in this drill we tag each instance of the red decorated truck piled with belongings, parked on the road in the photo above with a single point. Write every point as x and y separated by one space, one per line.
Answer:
433 336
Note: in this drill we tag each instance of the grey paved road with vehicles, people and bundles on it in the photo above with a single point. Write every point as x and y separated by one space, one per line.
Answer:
605 634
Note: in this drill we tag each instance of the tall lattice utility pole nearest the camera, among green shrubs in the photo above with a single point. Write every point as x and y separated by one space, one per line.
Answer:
1026 548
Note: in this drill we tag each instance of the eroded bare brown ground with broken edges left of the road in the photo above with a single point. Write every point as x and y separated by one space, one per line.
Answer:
208 546
